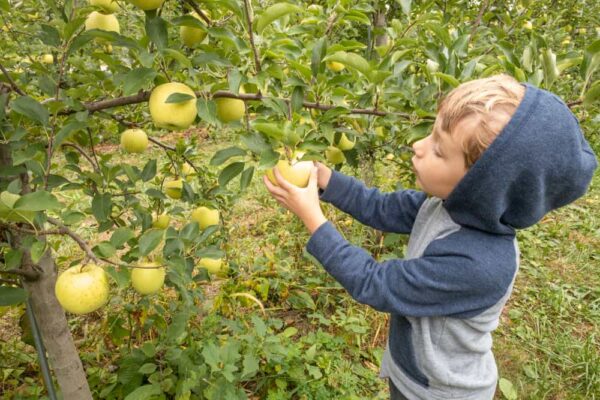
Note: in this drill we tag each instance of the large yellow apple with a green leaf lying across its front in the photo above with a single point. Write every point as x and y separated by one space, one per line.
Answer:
172 115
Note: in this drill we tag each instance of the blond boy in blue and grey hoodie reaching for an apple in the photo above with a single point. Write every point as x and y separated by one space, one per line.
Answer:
500 156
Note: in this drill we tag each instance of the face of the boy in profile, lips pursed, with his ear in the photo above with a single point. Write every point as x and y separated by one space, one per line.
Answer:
439 162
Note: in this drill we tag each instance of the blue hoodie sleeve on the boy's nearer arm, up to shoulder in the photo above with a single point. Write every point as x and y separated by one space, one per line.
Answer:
460 275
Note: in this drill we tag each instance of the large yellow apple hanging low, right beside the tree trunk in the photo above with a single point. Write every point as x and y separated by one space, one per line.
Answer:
82 289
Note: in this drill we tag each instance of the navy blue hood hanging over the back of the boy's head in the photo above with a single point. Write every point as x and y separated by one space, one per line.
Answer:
540 161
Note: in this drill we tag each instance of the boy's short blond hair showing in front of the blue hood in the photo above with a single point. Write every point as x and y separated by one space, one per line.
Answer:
491 100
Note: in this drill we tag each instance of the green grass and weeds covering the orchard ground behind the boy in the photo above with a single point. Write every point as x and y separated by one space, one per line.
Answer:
546 345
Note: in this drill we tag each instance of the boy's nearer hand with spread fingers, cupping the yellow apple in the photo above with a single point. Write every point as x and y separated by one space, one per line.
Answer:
304 202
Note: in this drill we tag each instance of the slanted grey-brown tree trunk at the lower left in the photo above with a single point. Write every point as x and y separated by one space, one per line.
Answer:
63 355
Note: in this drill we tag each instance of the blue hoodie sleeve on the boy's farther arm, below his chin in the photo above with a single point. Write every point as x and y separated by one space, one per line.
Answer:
388 212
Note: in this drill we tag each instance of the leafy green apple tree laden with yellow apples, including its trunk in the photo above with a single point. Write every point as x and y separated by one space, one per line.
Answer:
344 82
